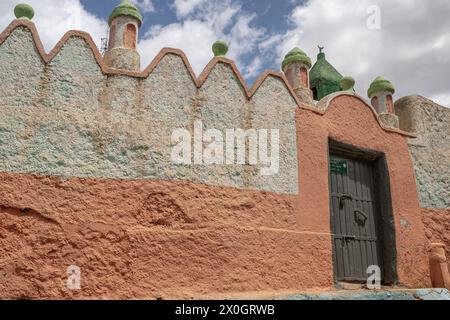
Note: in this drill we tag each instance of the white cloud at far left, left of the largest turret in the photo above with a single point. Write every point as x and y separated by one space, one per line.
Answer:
54 19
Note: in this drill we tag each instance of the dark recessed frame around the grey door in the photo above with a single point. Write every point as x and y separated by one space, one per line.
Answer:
387 244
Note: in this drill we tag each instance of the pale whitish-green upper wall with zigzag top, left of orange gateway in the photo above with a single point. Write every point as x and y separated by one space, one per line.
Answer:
120 126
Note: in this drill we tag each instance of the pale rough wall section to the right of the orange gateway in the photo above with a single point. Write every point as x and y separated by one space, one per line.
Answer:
431 150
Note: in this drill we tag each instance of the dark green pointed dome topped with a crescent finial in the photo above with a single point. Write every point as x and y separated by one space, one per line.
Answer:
324 78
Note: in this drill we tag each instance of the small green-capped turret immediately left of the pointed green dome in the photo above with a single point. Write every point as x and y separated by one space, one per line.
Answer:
296 65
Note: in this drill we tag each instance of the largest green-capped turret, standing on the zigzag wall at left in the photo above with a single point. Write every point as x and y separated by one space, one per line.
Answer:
124 24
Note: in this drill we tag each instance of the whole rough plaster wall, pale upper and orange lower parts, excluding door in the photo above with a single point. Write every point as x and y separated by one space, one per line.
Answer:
84 182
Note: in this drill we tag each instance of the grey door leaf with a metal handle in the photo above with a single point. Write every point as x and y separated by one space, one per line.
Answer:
354 218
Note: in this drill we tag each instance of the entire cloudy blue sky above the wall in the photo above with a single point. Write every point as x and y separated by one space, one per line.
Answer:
406 41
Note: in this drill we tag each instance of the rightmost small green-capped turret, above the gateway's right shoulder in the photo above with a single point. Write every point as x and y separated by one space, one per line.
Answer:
380 94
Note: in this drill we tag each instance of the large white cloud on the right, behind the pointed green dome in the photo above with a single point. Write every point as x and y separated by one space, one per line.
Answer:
412 48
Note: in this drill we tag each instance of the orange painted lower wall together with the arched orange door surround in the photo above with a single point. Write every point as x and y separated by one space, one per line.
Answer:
151 239
